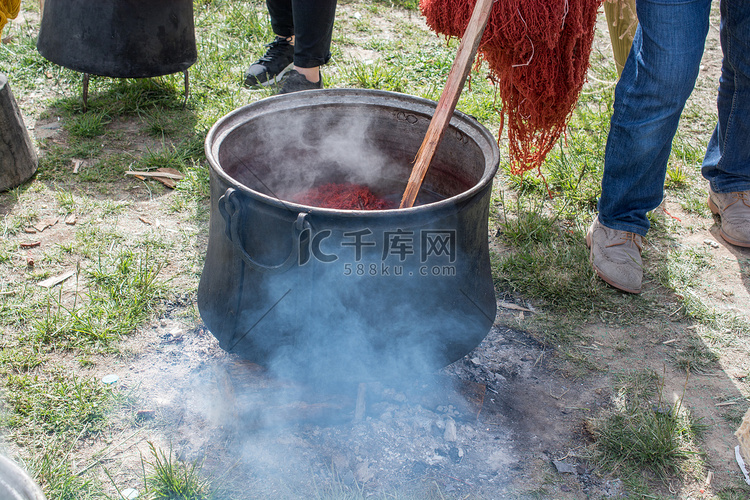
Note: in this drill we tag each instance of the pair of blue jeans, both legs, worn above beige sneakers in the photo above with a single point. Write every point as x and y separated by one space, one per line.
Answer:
656 81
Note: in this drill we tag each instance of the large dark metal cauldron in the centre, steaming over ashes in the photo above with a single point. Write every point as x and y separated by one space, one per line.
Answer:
347 293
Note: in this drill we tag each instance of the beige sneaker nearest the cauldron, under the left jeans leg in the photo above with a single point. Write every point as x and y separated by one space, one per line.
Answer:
616 256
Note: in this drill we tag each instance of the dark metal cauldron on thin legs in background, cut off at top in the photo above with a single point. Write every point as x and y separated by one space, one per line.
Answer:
119 38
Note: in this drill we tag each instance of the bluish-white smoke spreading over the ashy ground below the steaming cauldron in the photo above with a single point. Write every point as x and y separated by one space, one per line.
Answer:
283 435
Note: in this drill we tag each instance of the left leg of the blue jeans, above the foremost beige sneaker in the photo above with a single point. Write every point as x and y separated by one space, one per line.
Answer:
658 77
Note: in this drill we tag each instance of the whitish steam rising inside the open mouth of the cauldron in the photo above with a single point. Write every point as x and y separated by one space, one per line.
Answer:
297 151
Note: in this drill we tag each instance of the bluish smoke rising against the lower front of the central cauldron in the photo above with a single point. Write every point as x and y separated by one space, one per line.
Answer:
336 322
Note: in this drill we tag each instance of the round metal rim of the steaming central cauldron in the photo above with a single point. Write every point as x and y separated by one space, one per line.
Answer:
227 123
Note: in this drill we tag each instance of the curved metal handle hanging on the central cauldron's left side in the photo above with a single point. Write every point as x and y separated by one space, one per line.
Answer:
230 206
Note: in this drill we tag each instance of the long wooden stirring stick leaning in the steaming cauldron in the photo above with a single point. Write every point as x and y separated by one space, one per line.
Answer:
467 49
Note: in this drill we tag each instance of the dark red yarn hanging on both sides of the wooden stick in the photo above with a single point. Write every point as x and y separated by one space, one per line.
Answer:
538 54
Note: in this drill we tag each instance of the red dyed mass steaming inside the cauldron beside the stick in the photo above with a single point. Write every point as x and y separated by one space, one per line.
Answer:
342 197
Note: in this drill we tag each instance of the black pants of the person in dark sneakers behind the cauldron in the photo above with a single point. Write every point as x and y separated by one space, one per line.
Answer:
311 23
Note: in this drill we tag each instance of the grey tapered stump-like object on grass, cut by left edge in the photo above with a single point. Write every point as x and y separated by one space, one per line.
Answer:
18 160
